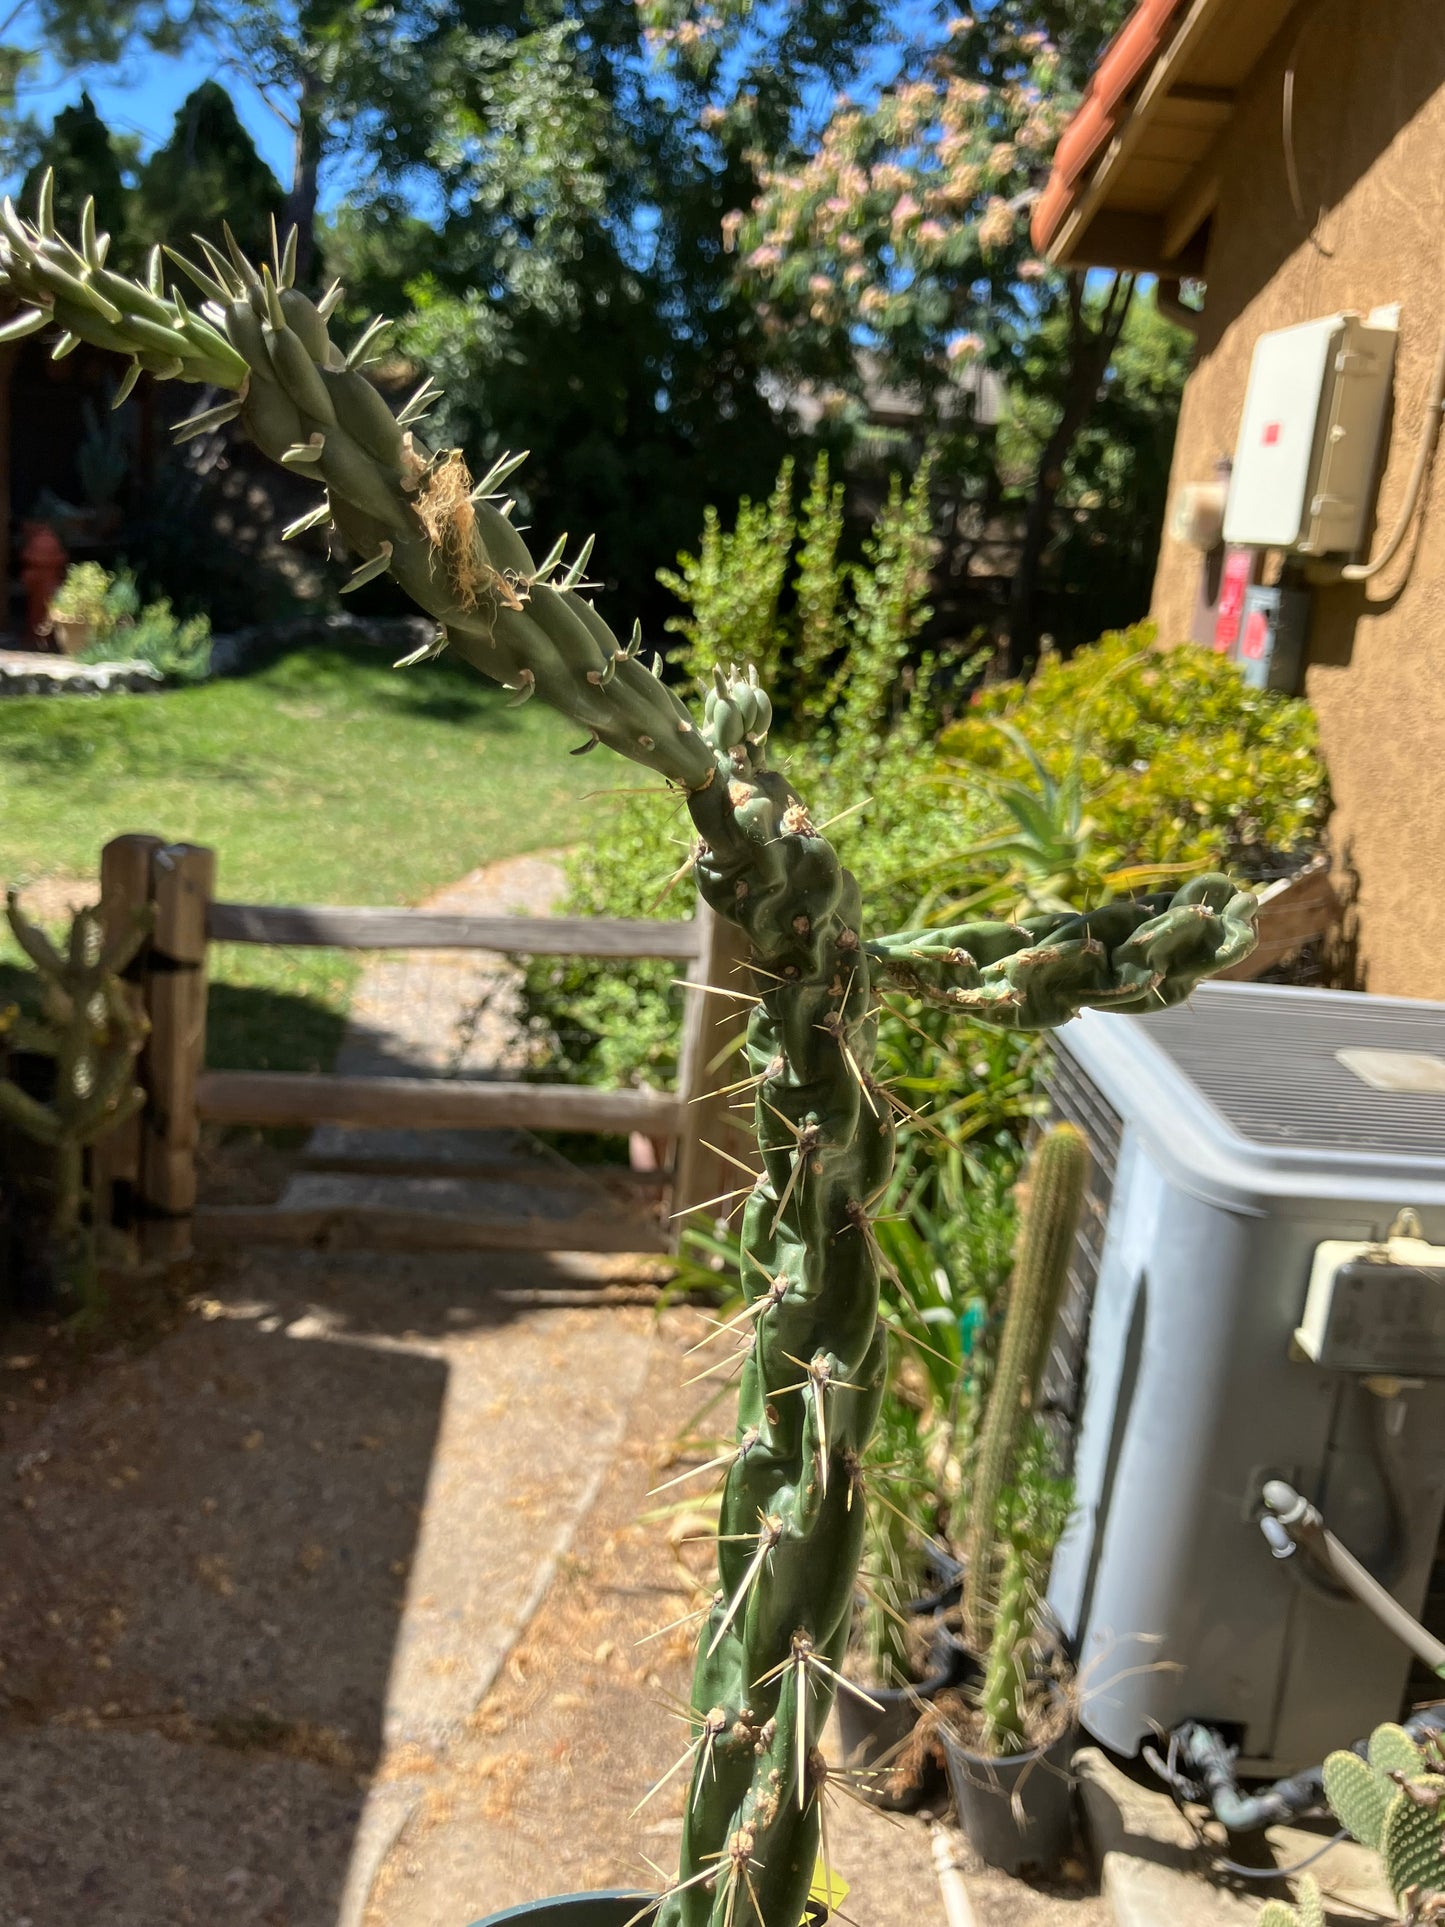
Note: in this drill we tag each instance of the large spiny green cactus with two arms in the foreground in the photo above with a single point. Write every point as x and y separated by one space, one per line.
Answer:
814 1367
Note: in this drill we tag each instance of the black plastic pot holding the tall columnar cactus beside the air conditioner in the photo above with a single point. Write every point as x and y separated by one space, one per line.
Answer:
1018 1812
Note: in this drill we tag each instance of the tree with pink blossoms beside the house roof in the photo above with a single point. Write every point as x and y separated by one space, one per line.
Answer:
899 223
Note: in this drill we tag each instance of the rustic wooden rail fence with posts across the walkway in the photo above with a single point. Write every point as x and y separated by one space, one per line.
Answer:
145 1175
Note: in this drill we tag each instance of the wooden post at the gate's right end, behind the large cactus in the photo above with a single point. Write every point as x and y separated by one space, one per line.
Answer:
712 1059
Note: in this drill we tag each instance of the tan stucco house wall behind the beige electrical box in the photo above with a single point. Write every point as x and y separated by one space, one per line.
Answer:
1369 134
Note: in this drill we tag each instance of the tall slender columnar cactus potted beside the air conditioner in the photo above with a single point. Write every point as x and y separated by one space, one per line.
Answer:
1053 1190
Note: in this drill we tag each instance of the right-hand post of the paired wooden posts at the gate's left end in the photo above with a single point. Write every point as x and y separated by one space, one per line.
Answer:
182 885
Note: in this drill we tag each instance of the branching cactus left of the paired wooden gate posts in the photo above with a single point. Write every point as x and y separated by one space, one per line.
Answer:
88 1026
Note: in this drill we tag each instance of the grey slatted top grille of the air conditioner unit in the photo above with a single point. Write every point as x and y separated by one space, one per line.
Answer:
1274 1076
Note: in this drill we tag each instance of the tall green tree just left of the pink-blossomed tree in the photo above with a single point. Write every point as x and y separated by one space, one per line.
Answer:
573 296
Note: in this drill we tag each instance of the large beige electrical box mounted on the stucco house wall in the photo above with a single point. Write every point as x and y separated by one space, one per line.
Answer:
1309 440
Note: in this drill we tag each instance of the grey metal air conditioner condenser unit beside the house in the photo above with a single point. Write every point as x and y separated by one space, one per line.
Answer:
1234 1138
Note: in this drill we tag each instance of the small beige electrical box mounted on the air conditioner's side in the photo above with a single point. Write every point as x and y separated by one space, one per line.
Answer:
1377 1309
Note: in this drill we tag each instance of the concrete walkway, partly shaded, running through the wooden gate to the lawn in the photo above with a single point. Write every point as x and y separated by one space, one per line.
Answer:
257 1581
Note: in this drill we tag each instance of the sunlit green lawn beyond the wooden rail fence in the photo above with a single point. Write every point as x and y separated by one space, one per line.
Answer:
325 779
